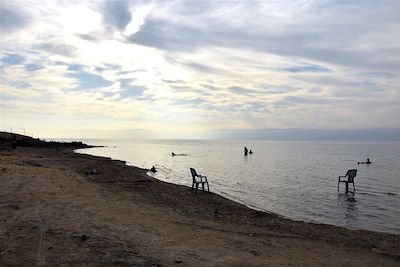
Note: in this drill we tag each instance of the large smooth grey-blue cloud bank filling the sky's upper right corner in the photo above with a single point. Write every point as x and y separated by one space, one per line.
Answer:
314 33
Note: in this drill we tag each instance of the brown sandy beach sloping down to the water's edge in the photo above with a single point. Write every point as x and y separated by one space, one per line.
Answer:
53 214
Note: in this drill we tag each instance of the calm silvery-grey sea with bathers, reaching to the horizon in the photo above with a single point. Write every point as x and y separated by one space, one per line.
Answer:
296 179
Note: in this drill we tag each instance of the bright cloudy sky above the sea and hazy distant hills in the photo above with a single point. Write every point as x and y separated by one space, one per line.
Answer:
187 69
